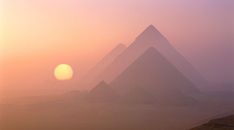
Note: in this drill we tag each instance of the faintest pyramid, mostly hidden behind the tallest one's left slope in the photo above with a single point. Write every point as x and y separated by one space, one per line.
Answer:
91 78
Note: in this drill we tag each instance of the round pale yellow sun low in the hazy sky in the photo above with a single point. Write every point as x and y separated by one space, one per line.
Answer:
63 72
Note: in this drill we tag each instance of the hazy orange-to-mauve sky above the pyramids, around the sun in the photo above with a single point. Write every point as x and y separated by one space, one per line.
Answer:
39 34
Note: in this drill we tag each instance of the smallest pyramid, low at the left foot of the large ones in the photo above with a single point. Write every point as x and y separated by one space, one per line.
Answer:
101 93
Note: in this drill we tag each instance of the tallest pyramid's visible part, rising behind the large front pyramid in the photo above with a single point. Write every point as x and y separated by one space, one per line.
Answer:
150 37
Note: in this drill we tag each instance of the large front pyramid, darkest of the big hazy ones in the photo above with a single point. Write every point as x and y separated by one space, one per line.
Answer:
156 78
